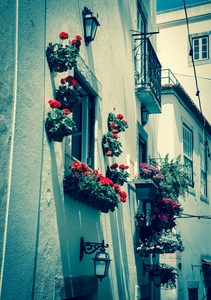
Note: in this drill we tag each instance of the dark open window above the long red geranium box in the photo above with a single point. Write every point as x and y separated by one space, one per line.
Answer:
83 138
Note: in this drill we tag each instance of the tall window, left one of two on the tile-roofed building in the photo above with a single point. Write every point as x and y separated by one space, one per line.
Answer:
188 151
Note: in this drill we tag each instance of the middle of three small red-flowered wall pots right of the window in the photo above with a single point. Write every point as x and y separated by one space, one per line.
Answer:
111 145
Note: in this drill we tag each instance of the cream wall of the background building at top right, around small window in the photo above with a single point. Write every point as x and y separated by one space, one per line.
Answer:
173 49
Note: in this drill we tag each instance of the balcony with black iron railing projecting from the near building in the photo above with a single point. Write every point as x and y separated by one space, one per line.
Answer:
148 76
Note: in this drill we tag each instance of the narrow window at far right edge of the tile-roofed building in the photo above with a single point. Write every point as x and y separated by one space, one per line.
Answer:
203 167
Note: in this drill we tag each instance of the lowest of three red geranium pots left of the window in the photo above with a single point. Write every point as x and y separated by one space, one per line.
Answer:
58 124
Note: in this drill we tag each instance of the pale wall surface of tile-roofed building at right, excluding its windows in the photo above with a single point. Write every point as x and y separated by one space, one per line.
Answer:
194 231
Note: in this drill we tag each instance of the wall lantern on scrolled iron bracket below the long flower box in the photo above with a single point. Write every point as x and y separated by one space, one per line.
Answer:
101 260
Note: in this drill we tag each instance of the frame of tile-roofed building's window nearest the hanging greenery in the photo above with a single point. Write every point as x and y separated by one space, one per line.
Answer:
186 157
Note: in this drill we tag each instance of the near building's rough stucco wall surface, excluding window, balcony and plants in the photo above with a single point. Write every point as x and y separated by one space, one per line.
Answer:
43 226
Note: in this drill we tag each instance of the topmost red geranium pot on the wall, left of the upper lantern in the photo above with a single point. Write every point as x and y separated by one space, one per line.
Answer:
62 57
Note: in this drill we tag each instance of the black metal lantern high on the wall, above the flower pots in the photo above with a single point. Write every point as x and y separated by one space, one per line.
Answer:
90 25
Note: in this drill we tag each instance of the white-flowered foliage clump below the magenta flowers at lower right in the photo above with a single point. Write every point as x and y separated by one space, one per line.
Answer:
162 242
